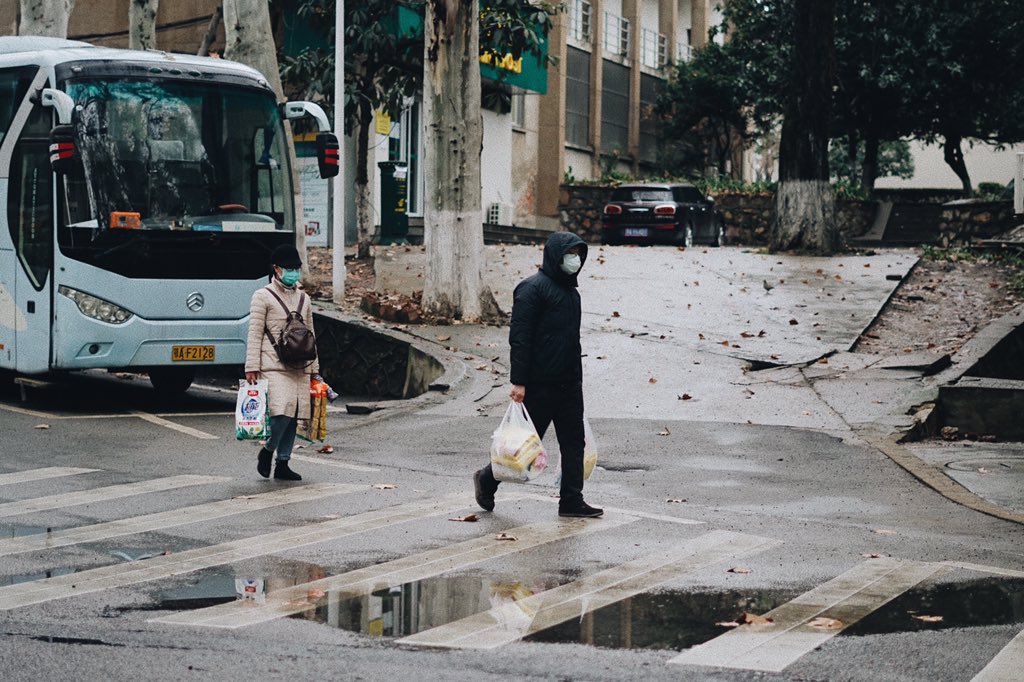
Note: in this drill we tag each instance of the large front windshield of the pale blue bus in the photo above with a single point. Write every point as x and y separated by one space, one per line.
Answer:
166 155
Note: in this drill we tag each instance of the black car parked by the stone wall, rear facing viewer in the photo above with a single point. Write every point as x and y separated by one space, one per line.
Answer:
662 215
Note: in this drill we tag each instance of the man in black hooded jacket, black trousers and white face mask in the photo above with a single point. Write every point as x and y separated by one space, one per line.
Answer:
547 367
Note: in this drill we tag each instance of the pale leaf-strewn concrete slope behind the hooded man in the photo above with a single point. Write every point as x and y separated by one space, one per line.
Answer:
726 335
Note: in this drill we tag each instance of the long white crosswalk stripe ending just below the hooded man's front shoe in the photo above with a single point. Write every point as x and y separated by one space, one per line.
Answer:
296 600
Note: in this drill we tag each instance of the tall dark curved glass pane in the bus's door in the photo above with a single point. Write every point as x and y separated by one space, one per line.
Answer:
30 198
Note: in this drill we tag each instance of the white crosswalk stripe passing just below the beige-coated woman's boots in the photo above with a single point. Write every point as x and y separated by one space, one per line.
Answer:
174 518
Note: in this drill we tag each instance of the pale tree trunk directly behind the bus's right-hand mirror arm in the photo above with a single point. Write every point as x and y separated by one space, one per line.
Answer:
249 39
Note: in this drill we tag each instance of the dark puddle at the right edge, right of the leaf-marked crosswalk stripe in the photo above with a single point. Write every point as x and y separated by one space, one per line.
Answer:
983 603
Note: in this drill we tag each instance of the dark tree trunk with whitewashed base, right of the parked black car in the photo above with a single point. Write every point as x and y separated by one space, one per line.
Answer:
805 212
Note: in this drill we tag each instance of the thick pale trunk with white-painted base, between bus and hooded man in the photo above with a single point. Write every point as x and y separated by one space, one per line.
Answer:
453 142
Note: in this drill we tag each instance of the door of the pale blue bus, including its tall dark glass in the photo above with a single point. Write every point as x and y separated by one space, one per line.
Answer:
29 219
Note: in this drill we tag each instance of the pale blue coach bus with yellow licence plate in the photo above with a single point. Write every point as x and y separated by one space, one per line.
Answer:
141 196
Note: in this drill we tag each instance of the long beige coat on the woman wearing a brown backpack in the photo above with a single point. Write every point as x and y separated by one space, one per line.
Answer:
288 390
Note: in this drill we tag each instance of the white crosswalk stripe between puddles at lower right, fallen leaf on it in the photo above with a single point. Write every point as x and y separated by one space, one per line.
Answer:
847 599
